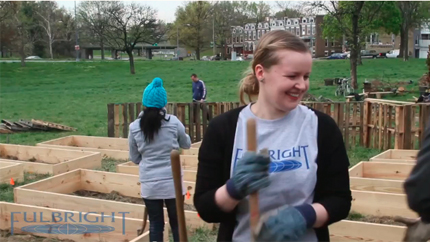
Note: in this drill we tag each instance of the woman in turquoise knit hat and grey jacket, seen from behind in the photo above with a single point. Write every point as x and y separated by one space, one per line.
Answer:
152 137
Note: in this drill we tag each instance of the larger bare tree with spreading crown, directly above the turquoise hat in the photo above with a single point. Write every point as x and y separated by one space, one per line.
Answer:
128 25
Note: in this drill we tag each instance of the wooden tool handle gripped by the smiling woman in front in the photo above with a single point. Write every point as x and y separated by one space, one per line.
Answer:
254 211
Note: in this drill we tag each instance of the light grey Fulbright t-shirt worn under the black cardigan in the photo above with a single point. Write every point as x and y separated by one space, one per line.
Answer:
292 144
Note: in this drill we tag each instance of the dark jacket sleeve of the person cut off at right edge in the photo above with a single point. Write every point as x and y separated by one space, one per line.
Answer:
417 186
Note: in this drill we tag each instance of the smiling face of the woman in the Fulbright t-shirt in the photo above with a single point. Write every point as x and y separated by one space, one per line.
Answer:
285 83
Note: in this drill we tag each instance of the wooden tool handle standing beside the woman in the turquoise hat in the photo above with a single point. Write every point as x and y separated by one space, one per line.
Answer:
176 171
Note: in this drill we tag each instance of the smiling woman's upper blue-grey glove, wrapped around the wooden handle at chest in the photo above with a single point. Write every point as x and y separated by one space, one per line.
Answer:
250 175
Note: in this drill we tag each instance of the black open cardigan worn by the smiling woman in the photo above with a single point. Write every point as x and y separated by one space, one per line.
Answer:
332 188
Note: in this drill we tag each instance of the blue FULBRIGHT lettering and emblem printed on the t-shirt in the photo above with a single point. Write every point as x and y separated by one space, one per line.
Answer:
280 161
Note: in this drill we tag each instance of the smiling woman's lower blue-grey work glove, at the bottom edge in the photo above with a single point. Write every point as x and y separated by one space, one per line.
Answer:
286 223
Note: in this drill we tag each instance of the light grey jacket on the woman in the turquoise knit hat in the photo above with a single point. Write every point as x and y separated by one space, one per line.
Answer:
155 171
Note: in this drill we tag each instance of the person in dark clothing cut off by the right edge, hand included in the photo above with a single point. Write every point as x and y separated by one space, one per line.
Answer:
417 189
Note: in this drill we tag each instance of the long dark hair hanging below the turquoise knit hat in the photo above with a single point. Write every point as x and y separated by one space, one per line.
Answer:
150 122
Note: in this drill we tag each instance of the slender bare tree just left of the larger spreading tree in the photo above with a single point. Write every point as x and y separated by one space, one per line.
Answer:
95 18
